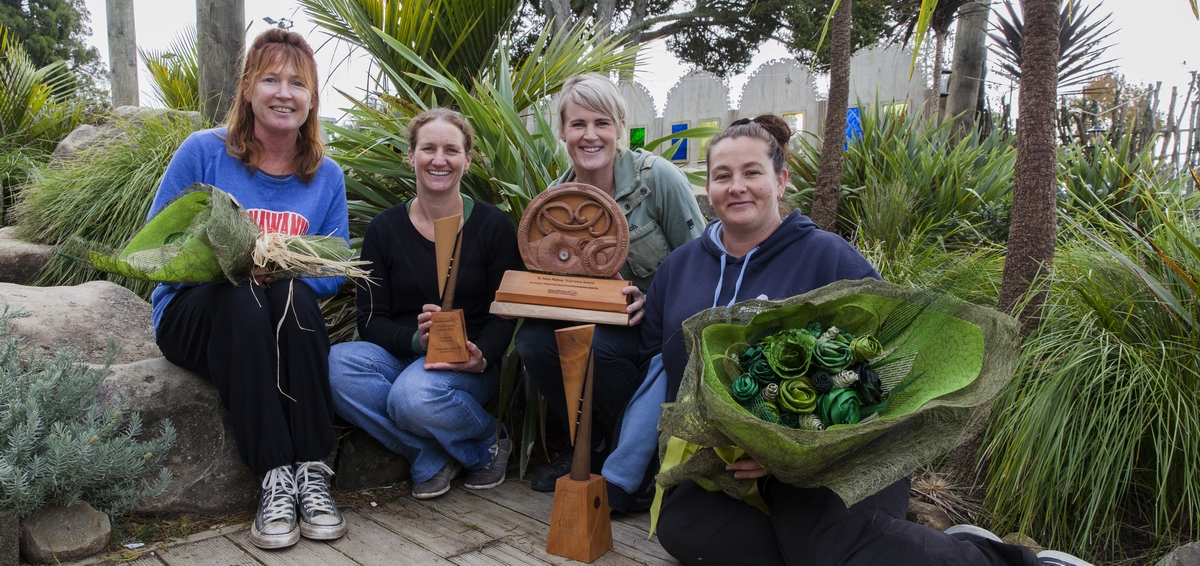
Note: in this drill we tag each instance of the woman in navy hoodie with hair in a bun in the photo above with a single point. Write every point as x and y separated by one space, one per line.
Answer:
752 252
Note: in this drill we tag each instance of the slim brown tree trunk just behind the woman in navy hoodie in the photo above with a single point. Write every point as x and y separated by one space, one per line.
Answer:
825 198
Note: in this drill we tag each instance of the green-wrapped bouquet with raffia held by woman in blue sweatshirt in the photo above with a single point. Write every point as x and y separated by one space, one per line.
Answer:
205 236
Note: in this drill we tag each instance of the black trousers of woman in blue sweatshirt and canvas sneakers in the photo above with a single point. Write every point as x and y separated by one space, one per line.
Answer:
274 386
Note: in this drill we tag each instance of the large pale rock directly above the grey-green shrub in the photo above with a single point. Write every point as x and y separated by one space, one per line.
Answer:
83 318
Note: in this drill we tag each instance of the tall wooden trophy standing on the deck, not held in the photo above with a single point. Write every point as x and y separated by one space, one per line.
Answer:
579 525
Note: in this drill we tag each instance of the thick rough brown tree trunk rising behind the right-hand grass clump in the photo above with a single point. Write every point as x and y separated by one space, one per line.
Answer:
1031 237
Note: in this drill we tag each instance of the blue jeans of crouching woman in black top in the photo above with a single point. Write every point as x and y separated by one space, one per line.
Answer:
427 417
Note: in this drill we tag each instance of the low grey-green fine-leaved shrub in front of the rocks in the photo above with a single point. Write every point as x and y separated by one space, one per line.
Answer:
61 445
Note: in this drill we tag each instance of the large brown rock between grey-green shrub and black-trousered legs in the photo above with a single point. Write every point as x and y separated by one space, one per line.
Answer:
209 478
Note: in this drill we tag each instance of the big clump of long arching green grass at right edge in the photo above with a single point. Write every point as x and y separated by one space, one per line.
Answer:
1100 435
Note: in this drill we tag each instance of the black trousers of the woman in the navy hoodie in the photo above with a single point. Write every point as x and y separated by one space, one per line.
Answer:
813 527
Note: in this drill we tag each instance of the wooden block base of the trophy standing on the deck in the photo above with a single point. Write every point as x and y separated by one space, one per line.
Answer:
579 526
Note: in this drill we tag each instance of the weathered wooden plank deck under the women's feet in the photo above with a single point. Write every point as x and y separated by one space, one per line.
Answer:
506 526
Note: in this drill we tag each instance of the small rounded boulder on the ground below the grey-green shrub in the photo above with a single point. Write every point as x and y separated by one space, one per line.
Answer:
59 534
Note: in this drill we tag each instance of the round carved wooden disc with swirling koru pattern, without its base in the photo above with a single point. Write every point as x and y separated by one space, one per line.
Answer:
574 230
